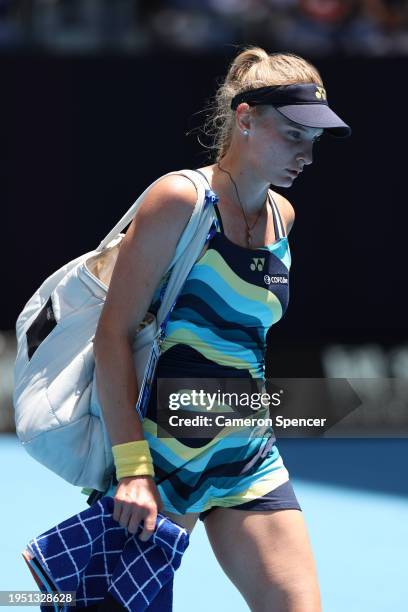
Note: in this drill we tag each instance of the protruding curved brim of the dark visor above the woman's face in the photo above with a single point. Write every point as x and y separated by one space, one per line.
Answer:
316 116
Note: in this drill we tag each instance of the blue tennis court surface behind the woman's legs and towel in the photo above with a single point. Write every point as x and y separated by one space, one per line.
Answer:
354 495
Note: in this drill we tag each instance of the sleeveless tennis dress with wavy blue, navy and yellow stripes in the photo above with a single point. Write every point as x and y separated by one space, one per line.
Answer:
217 330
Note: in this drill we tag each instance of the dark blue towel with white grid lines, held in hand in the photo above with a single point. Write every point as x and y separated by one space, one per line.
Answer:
92 555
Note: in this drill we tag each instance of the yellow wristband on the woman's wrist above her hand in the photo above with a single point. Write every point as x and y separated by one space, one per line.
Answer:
133 459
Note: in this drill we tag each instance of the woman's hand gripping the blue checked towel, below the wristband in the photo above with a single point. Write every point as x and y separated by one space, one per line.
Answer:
137 499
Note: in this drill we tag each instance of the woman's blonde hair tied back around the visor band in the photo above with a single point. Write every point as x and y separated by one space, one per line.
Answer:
252 68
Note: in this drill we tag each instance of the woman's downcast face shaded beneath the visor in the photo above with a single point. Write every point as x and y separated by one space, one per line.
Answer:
279 148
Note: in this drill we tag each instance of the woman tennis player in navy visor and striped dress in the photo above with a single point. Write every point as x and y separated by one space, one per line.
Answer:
270 110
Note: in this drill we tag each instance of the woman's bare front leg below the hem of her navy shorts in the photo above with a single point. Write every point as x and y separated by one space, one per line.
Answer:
268 557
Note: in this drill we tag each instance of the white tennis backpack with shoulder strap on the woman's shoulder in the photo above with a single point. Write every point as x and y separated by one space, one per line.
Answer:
57 412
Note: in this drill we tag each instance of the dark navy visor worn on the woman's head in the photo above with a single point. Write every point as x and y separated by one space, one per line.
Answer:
304 103
